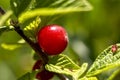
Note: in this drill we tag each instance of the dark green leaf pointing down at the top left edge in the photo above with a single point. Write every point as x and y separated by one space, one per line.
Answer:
18 6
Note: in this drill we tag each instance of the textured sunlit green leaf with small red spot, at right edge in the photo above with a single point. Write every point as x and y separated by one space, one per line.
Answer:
108 59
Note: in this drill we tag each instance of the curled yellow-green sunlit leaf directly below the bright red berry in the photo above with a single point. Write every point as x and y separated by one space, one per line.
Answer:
64 65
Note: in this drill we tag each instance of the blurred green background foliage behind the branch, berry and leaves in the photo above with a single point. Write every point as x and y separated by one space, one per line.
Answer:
89 33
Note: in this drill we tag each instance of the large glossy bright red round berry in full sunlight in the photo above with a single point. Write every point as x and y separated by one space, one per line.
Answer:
52 39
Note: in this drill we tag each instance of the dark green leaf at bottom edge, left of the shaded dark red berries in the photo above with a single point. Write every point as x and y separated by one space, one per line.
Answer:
28 76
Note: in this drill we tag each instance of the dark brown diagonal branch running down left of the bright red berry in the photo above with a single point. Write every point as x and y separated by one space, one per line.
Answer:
34 46
